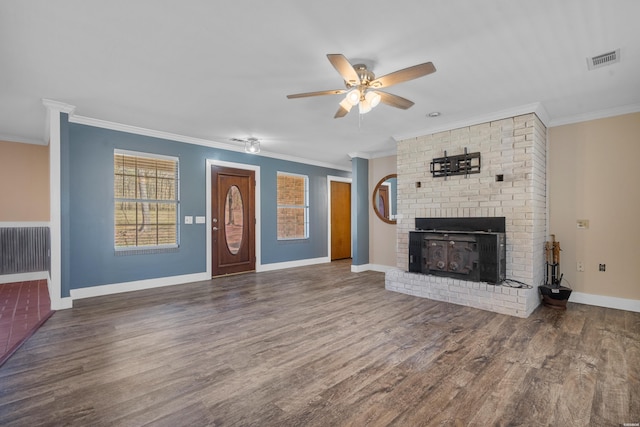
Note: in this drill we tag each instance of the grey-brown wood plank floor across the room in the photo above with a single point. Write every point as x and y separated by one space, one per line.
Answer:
320 346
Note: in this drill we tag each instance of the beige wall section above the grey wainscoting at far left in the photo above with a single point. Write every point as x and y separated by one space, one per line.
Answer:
24 182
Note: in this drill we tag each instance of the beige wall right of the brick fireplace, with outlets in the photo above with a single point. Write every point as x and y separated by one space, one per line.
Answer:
593 173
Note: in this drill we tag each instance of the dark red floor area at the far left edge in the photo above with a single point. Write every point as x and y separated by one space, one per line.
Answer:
24 307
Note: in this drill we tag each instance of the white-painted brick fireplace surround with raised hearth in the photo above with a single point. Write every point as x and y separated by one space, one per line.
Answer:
514 148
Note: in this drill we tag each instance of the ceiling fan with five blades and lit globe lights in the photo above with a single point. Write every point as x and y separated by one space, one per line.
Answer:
362 85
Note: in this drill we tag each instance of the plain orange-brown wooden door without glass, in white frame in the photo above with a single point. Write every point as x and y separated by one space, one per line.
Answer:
340 220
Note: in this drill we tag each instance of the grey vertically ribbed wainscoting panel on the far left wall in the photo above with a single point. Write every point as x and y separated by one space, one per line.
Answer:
24 249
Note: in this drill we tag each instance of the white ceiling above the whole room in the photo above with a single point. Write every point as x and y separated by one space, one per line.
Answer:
217 70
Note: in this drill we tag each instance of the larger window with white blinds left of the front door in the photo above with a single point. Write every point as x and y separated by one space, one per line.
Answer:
146 201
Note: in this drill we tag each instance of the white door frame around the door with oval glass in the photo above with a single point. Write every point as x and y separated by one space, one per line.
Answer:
258 234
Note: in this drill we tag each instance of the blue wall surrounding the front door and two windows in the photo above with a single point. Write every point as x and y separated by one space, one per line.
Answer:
89 258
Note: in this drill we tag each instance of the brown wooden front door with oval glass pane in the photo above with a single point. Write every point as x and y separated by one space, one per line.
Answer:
233 221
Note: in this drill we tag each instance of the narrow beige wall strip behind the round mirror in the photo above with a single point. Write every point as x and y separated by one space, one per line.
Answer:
382 236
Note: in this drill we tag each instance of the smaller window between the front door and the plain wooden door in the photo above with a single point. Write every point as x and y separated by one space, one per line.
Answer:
293 206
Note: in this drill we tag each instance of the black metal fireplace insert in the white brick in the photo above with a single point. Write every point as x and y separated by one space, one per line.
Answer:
472 249
